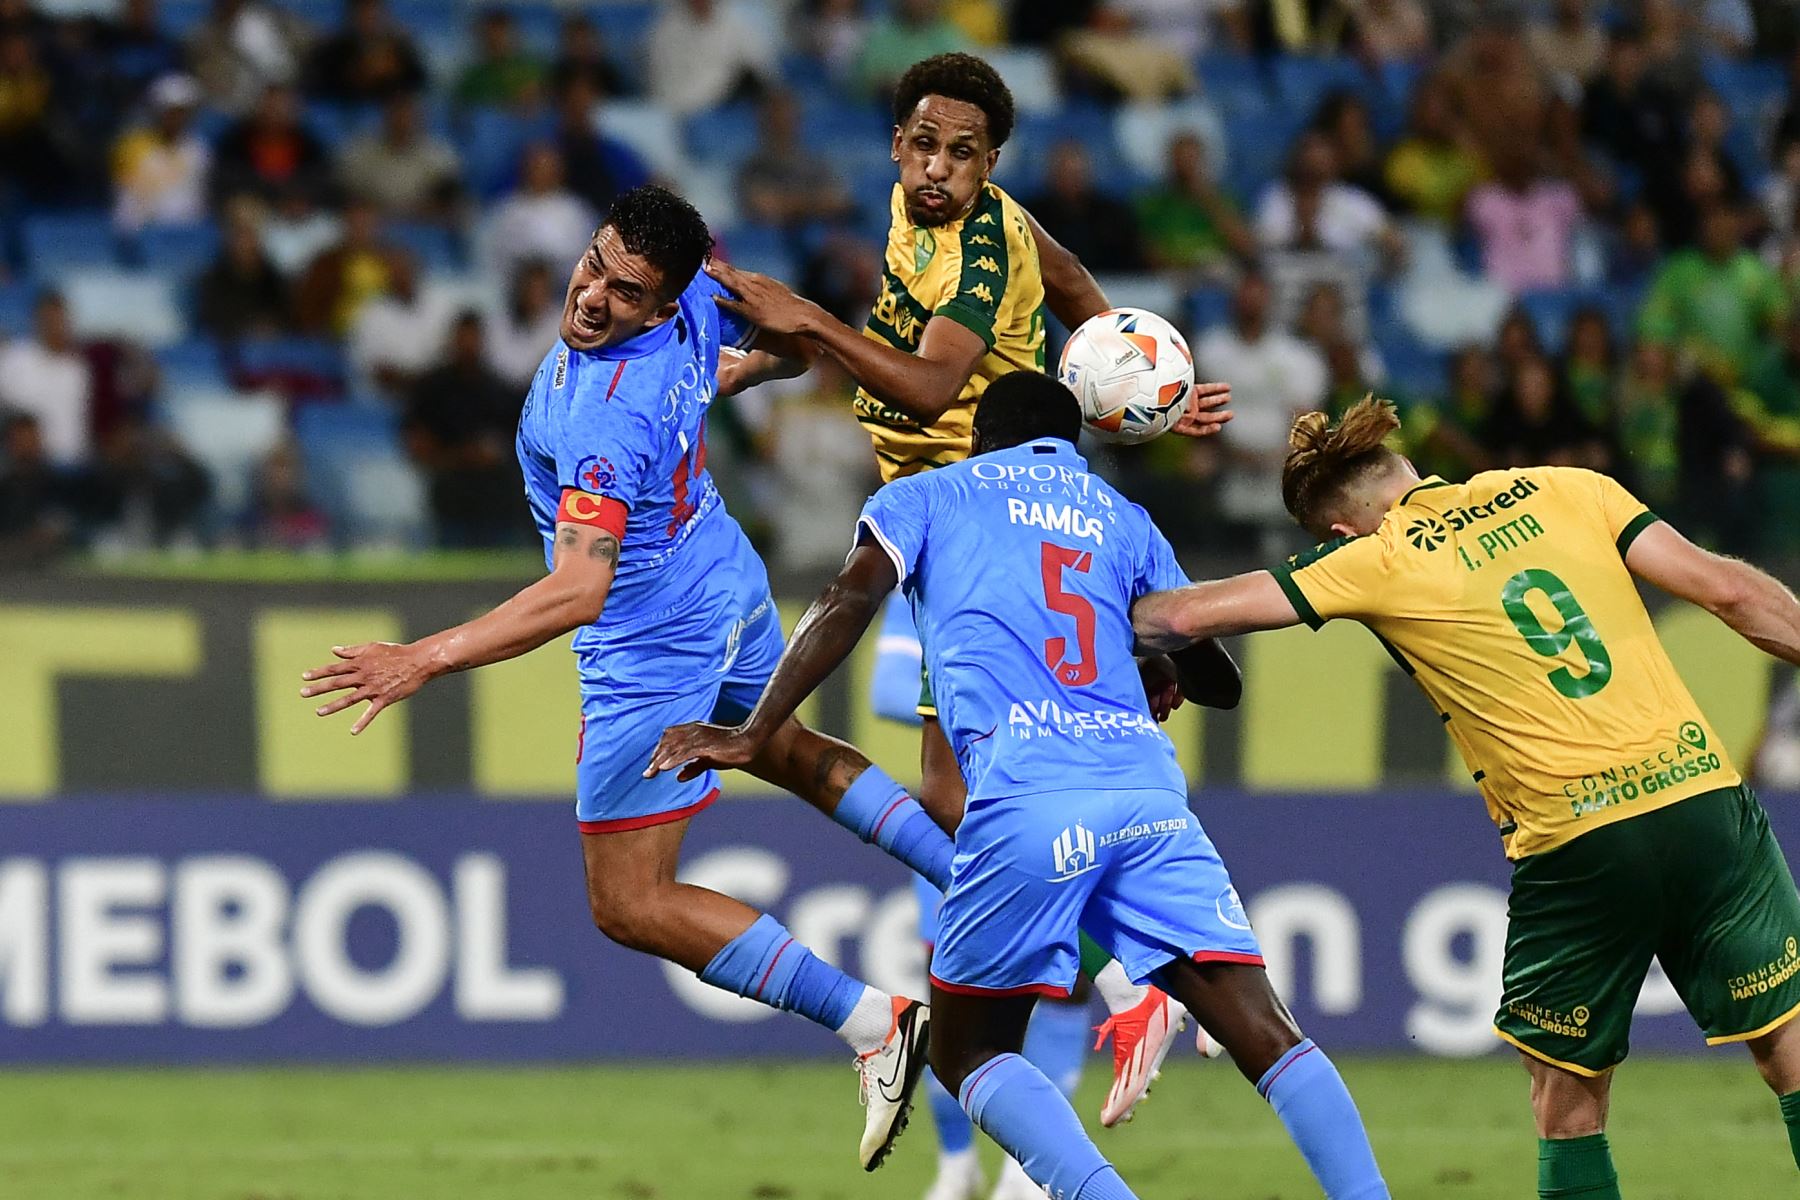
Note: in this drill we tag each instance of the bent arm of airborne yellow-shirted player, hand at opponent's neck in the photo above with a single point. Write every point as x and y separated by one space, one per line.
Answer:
922 384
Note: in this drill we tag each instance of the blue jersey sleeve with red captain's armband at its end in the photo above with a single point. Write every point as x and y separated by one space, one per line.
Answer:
604 452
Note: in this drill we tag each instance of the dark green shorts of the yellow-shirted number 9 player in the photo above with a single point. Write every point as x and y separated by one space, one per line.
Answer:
1700 886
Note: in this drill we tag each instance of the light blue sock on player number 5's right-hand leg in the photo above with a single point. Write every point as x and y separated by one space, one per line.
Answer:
1313 1102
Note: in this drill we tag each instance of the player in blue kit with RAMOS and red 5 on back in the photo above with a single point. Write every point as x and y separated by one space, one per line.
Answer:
1077 809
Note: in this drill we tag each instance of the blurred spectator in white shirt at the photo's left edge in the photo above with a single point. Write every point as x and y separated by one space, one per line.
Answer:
48 379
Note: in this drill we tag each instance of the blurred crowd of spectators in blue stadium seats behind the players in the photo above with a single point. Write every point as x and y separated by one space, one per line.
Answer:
1554 231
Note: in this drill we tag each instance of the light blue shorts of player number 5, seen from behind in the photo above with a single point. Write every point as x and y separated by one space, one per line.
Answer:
1131 868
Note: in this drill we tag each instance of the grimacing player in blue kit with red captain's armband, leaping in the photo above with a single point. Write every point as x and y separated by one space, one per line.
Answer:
674 623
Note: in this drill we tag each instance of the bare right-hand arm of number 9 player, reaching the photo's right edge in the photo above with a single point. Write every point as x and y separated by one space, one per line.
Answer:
1754 604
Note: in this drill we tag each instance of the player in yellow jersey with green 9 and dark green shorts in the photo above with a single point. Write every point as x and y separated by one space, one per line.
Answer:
1511 600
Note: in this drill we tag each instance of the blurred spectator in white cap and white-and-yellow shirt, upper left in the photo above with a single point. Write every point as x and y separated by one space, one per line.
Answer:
161 168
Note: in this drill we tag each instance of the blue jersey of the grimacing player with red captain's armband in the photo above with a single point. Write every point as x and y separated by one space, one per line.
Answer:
622 431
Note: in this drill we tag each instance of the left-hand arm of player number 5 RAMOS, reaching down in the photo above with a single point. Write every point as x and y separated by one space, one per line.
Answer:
822 641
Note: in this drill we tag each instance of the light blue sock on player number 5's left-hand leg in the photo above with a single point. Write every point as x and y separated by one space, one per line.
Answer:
1018 1107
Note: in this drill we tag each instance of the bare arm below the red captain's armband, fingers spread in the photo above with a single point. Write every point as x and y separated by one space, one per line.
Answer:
386 674
